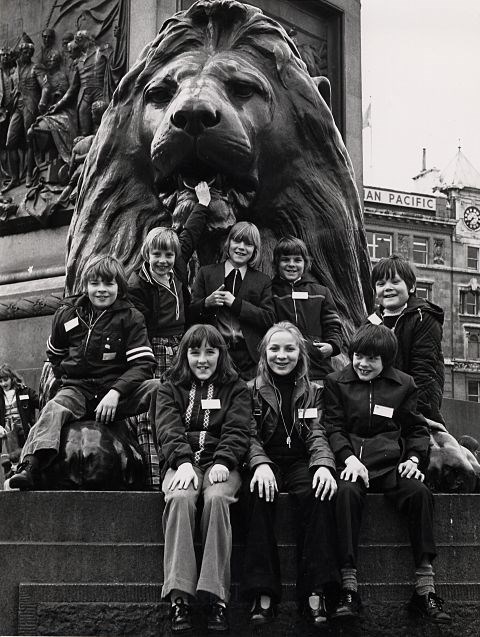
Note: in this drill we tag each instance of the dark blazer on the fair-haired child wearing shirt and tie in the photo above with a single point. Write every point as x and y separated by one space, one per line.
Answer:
253 306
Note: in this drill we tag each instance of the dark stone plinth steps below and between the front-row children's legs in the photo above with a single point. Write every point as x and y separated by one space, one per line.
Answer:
99 543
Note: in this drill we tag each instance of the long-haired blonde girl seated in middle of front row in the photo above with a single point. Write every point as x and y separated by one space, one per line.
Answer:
289 452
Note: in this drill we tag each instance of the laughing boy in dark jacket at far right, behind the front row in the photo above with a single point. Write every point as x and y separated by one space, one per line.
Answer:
418 326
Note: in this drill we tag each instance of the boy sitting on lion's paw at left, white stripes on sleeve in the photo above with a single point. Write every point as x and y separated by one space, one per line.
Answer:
100 352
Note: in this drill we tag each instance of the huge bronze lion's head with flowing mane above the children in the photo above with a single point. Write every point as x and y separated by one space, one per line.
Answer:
222 95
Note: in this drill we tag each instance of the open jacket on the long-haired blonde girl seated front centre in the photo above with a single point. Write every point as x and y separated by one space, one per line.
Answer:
308 425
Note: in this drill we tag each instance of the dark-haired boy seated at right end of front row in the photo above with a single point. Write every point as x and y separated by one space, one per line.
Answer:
380 443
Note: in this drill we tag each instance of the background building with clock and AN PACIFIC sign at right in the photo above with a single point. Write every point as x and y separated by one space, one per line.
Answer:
440 233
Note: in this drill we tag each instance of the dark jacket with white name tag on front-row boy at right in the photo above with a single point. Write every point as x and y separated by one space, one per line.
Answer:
357 410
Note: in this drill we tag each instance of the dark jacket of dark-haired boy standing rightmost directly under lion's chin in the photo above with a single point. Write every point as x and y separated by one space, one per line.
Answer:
316 317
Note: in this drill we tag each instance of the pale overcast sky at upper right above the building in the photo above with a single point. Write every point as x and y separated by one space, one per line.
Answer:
420 69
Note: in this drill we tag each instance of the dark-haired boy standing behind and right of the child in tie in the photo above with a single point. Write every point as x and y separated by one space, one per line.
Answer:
300 299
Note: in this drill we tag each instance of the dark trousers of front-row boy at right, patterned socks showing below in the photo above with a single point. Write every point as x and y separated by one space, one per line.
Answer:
411 497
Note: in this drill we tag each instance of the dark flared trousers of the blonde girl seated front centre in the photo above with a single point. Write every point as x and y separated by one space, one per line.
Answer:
317 563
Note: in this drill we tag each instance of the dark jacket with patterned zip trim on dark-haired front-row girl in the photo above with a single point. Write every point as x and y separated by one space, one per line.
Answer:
189 430
